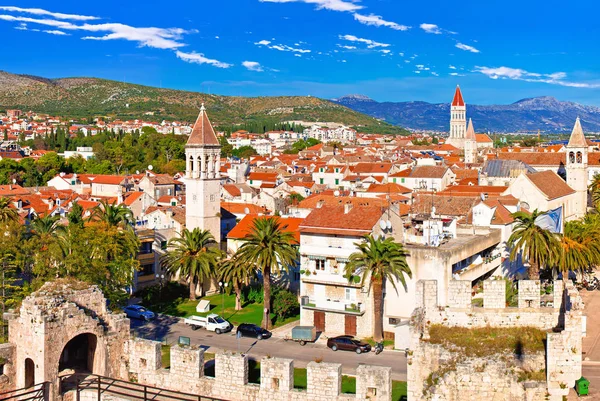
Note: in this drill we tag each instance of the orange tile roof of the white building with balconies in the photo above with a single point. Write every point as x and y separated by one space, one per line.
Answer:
358 221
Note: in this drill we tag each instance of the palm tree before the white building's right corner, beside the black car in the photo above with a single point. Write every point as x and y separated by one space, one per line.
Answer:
378 261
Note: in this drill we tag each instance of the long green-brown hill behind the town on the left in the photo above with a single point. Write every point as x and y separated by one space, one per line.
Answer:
88 97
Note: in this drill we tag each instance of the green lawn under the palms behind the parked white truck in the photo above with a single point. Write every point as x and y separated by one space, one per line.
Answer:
250 313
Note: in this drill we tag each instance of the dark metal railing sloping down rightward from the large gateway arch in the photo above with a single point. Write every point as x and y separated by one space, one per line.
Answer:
133 391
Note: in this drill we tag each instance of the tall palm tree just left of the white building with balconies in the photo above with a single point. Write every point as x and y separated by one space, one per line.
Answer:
270 249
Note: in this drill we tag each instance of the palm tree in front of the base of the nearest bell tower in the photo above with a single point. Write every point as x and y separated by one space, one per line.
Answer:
193 256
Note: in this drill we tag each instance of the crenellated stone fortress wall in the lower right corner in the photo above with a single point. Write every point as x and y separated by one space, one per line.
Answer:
435 373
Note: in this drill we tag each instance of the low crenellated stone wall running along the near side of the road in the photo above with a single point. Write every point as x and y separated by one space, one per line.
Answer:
186 374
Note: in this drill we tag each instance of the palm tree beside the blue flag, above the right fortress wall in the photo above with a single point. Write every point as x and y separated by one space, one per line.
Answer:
536 245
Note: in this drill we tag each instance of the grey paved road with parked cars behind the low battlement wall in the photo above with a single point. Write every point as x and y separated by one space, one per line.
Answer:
169 328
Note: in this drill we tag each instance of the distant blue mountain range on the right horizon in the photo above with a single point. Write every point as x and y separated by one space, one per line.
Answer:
540 113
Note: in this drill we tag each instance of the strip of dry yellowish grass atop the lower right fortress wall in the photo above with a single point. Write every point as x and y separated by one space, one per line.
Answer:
487 341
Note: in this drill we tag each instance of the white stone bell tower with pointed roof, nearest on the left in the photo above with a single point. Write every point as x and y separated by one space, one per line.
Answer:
202 178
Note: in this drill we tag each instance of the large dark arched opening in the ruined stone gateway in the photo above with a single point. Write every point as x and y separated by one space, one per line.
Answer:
78 354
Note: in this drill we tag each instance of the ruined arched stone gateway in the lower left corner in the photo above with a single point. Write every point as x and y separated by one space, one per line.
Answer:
66 327
